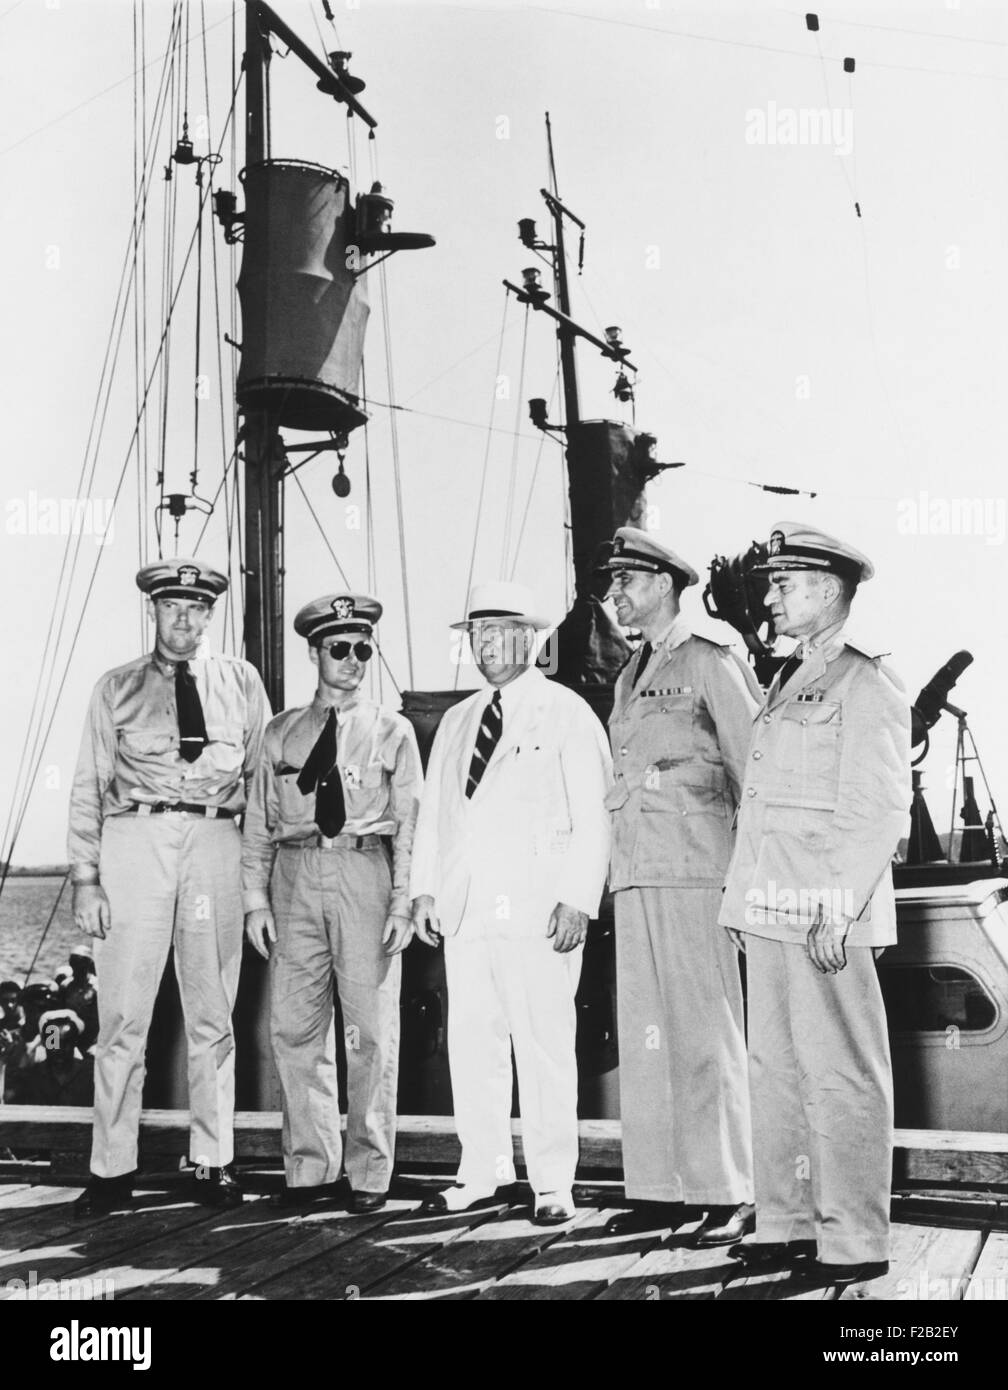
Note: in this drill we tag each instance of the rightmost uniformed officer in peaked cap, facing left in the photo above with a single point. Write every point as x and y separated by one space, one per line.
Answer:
810 892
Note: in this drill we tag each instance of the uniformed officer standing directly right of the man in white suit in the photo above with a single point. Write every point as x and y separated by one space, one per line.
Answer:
681 729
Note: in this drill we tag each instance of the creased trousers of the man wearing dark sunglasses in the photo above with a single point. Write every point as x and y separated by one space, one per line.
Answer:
330 908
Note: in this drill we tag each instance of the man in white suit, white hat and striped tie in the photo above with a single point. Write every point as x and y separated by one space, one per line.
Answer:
510 864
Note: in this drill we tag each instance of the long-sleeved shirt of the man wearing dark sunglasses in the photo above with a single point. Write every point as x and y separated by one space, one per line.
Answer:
382 774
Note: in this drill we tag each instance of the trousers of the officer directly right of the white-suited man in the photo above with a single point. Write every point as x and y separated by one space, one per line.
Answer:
685 1099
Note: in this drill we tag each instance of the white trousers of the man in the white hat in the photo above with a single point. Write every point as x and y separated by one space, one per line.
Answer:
503 993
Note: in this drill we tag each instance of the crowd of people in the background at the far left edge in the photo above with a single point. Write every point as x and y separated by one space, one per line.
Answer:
48 1036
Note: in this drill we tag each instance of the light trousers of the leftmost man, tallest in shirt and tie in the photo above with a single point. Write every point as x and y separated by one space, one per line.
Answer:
170 881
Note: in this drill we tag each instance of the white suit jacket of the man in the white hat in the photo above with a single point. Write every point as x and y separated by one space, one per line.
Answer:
535 833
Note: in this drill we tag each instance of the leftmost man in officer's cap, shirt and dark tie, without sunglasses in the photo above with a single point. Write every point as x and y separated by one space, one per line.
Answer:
166 760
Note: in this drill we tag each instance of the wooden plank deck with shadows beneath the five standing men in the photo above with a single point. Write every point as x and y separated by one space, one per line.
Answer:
946 1248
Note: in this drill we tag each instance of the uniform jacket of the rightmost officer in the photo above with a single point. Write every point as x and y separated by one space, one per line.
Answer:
827 799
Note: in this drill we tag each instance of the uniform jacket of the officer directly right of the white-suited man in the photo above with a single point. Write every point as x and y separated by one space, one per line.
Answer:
679 754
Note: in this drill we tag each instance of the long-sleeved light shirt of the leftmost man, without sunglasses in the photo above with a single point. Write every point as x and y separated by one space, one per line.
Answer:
130 747
